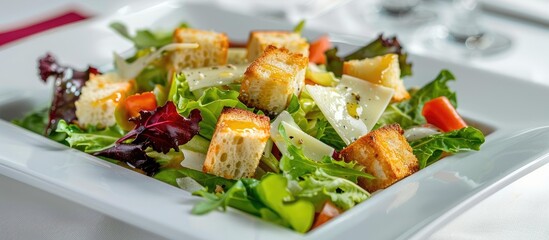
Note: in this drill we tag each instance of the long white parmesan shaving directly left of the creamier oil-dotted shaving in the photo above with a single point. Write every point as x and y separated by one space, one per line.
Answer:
333 105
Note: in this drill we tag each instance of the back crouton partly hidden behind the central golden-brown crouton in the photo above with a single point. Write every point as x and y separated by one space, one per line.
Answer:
260 40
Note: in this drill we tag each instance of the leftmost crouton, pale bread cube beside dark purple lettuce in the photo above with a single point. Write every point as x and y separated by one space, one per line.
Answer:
99 98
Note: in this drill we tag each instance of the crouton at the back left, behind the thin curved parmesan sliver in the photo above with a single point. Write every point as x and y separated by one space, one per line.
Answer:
212 49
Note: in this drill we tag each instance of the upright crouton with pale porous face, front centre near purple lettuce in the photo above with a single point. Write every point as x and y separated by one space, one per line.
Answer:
237 144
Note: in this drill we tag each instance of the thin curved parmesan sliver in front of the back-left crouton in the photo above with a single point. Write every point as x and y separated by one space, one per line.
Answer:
131 70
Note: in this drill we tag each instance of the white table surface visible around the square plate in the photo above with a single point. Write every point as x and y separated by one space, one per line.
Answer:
519 211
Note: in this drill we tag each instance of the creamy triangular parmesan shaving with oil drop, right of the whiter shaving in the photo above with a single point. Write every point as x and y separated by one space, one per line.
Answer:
371 99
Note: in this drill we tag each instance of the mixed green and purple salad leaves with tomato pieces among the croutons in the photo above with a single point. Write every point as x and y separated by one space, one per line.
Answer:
168 114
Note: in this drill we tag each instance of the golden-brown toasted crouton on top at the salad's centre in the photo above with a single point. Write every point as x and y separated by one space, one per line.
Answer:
272 79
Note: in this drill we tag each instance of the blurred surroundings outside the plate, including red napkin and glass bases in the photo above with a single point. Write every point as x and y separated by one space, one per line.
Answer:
502 36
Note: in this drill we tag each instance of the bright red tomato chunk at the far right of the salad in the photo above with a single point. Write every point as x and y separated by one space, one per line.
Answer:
440 112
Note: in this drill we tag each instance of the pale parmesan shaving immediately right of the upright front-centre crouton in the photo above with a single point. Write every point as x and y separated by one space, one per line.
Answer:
312 147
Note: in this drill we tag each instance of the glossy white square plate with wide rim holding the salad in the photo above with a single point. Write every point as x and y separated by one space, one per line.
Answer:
513 111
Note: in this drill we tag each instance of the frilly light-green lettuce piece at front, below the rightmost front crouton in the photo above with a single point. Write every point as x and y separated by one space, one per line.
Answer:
320 186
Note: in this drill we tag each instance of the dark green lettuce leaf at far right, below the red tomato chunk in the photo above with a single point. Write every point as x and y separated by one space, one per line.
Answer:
429 149
